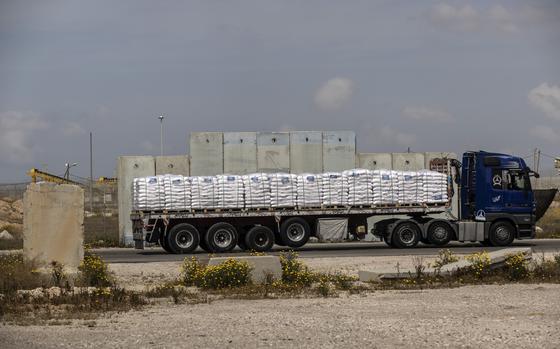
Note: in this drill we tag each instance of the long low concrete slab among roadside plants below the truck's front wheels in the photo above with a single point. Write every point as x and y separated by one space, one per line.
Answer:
497 260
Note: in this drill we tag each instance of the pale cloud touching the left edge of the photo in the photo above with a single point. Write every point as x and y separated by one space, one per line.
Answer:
17 129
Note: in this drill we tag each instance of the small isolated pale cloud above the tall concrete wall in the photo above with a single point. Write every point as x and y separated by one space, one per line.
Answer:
334 94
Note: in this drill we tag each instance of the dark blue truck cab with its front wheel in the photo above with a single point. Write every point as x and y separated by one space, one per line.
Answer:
496 191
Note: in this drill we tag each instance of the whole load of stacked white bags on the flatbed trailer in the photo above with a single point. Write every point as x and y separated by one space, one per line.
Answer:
358 187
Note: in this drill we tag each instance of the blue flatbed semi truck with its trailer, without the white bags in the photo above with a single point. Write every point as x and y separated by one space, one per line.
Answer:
490 200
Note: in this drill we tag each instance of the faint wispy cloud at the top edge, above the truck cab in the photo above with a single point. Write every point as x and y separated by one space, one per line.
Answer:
466 18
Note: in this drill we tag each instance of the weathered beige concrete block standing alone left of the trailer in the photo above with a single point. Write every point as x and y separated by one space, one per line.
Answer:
53 224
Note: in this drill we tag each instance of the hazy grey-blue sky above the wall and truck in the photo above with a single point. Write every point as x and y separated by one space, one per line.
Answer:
429 75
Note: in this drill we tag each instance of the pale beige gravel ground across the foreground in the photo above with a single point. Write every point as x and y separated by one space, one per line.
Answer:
494 316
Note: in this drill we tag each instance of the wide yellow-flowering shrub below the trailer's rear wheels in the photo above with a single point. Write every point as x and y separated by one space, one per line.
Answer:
231 273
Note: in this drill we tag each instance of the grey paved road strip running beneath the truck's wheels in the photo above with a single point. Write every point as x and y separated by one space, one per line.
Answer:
156 254
